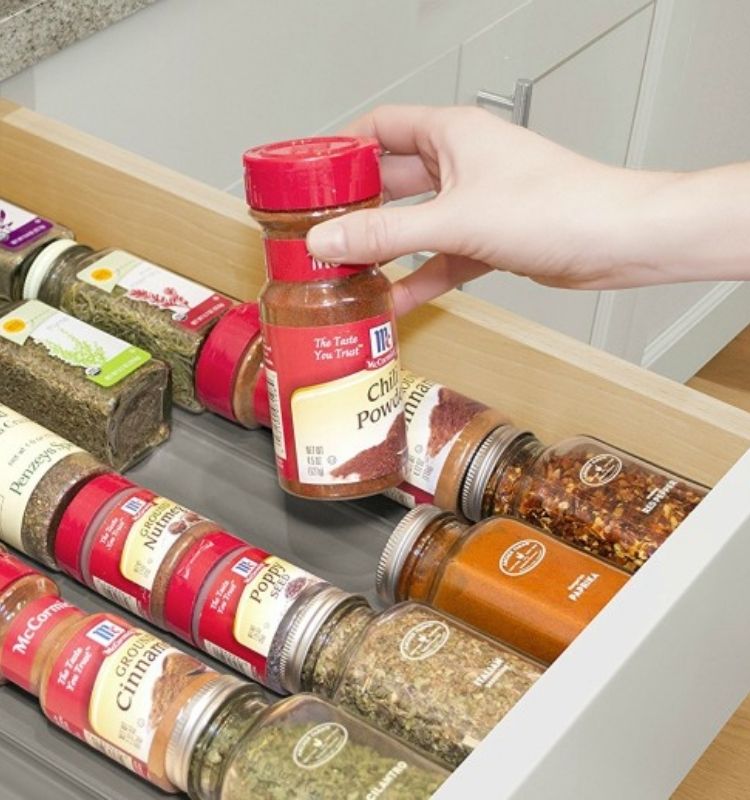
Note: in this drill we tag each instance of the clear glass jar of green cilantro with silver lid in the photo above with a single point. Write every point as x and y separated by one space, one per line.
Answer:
235 745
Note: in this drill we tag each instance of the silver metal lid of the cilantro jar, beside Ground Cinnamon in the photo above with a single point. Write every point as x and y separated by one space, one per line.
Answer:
190 724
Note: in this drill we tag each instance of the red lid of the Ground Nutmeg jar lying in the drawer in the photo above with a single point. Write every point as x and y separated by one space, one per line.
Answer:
78 516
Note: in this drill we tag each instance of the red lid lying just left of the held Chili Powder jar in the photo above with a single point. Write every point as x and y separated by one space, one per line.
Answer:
221 355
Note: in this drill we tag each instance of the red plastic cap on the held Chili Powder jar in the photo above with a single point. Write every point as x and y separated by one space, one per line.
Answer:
304 174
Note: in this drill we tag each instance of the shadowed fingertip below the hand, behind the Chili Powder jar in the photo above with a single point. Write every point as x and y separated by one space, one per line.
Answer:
435 277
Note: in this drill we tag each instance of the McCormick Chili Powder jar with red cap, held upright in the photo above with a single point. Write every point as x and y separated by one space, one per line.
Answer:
329 331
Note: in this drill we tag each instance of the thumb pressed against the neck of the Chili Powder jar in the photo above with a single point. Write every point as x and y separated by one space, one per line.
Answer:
379 234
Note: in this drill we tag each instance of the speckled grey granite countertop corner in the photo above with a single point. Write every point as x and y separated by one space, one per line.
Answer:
31 30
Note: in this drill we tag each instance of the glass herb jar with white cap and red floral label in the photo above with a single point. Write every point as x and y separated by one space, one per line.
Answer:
146 305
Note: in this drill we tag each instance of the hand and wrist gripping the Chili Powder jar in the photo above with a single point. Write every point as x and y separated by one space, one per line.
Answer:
506 198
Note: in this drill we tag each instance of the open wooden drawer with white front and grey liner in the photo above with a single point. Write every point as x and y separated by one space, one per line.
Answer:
634 701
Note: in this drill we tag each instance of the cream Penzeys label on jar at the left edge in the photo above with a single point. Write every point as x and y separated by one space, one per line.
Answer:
27 453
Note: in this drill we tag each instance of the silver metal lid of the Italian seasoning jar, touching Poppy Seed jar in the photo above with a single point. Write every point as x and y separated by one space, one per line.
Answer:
309 619
